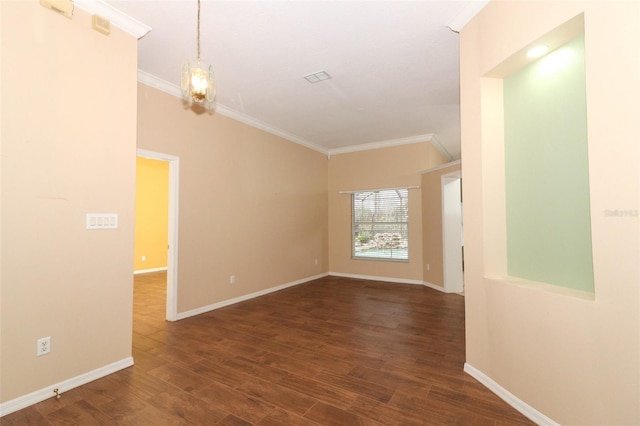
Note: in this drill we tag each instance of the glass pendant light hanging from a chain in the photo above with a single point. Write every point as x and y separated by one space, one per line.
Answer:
198 84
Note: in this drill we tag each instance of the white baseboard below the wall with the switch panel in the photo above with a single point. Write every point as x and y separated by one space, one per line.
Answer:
48 392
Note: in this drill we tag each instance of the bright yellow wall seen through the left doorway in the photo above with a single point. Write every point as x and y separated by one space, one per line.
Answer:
152 214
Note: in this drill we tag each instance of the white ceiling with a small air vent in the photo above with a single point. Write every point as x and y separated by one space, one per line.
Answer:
393 65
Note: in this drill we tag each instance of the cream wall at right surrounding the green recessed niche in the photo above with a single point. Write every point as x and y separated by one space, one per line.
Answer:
573 359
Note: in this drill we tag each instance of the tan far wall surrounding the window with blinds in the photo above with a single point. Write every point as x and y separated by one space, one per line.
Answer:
381 168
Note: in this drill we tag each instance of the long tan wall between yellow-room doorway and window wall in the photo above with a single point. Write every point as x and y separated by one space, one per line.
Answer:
252 204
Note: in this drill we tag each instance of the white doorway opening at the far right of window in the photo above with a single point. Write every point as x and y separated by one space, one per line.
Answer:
452 238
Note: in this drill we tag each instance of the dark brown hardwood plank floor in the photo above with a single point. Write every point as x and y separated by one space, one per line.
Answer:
334 351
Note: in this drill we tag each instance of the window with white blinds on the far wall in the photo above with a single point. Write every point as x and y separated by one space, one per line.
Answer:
380 225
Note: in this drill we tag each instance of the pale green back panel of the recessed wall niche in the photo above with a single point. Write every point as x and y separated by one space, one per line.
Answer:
547 171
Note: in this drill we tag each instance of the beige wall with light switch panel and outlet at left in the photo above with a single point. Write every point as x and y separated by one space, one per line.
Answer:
68 121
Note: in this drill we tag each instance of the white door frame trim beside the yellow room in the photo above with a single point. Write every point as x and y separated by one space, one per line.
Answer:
172 250
